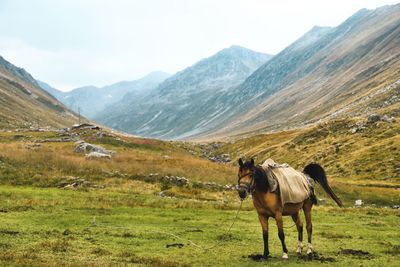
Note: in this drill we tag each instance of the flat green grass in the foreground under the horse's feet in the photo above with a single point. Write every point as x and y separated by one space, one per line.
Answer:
55 227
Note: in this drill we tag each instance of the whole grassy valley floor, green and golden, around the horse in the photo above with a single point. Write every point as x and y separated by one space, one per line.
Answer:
124 221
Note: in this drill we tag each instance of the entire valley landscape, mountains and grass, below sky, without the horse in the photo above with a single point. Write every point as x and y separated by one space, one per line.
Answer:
144 172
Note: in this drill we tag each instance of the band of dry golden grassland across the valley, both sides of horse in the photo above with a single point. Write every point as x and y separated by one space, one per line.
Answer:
361 159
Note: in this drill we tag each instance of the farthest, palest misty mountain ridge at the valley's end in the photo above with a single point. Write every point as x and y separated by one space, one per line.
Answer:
91 100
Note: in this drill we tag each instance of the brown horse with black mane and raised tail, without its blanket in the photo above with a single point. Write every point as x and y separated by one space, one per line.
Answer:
253 180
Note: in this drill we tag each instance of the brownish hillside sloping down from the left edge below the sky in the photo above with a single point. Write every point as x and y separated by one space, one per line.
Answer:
23 104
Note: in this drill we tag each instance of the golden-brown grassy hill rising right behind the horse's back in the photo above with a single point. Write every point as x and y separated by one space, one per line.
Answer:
361 159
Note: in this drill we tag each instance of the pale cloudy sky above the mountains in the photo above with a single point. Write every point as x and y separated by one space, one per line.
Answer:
71 43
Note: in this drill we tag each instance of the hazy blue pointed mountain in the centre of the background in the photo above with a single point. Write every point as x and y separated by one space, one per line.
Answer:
185 103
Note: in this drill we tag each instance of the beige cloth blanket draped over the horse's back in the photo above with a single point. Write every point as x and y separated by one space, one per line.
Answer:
293 186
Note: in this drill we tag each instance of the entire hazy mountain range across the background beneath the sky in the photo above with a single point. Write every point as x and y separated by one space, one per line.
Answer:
237 90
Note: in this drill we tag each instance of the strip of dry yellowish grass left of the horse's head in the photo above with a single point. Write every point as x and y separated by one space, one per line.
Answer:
57 160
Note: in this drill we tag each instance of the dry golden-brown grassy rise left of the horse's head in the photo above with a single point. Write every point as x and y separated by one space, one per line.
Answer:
27 159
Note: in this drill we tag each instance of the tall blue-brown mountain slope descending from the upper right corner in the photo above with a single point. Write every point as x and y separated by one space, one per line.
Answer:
318 75
